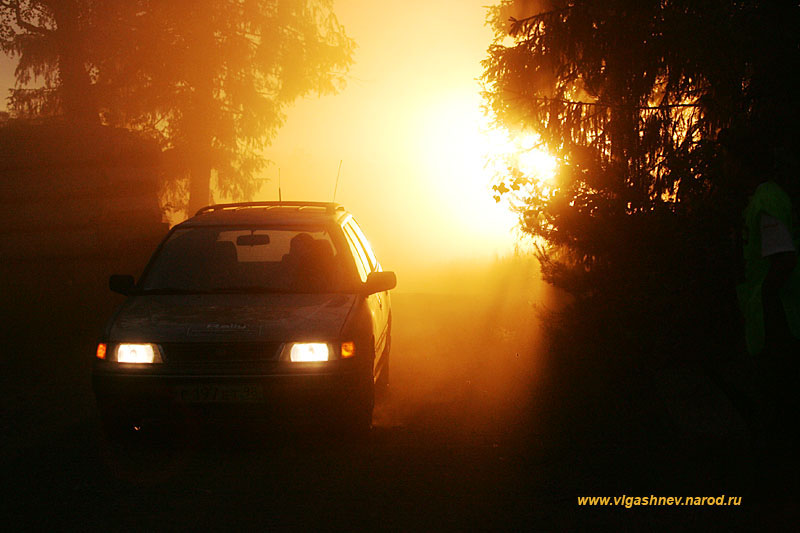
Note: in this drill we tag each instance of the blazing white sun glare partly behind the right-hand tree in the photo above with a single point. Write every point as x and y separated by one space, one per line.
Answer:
465 154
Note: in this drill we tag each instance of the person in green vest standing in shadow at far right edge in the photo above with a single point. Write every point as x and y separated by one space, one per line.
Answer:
770 299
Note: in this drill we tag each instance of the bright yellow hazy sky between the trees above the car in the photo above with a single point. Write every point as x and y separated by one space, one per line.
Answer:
407 129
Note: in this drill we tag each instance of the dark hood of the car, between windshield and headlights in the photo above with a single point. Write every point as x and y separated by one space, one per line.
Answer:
227 317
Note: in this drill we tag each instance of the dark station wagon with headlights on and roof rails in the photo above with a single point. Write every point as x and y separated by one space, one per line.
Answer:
247 310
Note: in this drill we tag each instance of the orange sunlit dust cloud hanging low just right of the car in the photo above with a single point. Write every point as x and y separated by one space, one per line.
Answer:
467 353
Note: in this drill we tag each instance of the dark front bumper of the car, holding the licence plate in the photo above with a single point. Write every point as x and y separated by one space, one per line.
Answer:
332 389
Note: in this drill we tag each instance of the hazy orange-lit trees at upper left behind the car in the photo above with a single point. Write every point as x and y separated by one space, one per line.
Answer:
210 80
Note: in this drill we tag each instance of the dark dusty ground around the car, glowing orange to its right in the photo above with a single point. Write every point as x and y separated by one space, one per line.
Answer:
478 432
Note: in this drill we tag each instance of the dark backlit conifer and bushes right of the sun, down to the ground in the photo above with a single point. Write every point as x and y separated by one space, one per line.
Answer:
663 114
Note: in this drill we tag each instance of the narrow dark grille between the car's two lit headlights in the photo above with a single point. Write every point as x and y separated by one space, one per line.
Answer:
197 352
